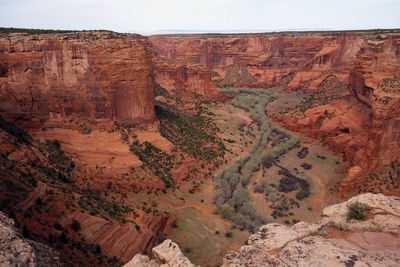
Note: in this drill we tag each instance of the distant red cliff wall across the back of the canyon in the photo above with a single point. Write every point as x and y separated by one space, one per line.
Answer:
259 60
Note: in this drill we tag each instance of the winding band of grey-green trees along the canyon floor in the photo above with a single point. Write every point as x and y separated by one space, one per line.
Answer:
231 195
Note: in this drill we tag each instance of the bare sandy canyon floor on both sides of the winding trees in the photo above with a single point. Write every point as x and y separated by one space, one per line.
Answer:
202 234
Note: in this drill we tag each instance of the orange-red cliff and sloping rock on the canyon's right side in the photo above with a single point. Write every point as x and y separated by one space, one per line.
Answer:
364 126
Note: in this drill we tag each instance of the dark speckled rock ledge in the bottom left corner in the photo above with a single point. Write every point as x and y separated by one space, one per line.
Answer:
15 250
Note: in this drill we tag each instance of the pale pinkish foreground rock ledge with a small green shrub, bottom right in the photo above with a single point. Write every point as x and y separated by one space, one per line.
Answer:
334 241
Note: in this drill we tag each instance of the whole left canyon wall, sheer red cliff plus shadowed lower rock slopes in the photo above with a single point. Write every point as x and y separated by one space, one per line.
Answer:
70 87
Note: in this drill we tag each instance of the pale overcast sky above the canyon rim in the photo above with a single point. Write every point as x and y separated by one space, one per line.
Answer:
206 15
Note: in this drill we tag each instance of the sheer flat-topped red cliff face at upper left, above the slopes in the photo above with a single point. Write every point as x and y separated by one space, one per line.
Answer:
92 75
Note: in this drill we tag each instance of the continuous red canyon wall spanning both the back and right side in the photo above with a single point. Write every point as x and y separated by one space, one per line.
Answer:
356 72
